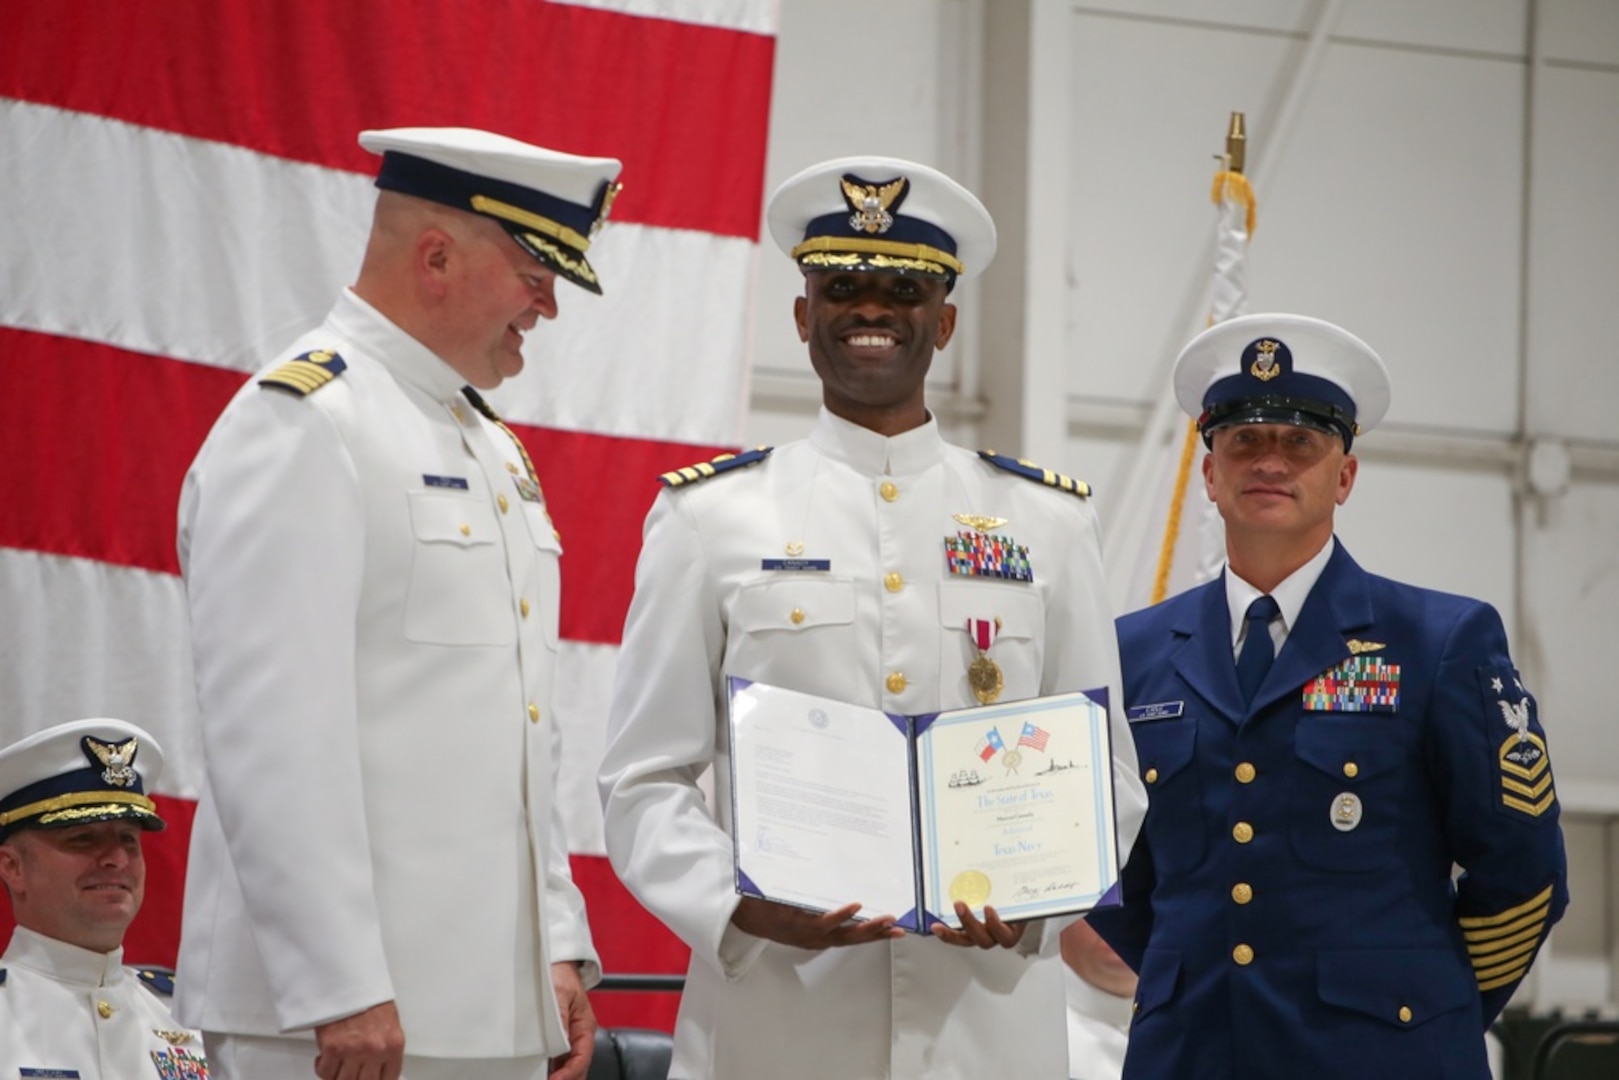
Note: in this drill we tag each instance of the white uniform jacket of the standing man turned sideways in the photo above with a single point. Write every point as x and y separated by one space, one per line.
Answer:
373 587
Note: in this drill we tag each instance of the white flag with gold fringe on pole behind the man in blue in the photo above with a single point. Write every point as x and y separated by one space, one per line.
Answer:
1183 540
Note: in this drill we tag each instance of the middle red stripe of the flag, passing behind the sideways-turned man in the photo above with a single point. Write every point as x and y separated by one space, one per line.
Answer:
111 433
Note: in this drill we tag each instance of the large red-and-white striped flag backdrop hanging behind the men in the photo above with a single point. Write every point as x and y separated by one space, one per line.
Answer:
182 195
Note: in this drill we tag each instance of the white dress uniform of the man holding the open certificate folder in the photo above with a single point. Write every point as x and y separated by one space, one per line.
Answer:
886 627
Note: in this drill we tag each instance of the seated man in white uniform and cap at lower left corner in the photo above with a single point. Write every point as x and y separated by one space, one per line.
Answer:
72 810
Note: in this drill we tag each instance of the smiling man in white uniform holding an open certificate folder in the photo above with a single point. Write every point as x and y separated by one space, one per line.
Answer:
872 564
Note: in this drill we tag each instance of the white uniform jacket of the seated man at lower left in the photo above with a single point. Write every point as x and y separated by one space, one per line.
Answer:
74 1013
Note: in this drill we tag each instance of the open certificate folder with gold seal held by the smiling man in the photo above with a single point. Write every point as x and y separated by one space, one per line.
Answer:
1005 806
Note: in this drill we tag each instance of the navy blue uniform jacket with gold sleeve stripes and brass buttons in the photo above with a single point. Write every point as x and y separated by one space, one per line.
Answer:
1291 906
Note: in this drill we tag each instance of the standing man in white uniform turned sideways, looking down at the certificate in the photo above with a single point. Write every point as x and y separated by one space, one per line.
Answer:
378 874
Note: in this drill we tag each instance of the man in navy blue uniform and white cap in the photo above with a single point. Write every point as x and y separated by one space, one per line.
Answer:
1324 747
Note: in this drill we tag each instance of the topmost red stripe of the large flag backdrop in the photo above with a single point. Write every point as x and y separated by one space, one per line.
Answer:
686 108
